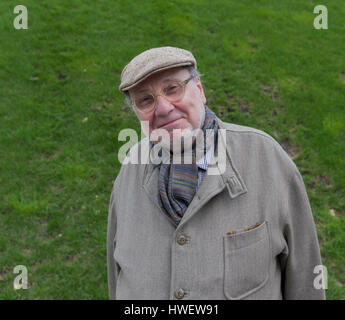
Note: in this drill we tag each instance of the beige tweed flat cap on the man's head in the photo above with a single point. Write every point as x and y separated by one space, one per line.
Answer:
151 61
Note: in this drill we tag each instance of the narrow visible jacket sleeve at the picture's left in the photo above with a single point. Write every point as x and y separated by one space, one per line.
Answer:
113 268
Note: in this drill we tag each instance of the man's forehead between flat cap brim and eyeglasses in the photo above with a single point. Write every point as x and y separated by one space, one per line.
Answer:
160 78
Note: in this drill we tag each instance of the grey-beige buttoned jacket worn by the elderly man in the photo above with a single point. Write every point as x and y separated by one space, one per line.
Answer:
248 233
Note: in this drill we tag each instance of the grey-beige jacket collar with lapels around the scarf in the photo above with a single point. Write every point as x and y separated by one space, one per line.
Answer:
211 184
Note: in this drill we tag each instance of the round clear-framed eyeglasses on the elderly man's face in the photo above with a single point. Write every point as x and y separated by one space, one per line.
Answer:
172 91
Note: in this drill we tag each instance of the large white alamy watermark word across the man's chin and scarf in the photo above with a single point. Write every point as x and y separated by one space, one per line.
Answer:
174 147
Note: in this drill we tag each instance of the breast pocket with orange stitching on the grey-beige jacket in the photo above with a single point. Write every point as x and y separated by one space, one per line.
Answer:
246 261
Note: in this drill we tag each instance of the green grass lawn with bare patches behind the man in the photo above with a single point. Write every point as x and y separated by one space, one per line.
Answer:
264 66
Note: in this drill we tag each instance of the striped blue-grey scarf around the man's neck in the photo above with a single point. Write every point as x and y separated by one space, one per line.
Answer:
177 183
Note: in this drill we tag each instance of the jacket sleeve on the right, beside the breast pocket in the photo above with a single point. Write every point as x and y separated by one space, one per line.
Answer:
301 252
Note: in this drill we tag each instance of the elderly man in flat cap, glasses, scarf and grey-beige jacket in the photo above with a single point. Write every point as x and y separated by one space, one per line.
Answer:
175 231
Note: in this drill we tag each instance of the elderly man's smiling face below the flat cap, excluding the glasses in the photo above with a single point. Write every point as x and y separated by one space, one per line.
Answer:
183 114
